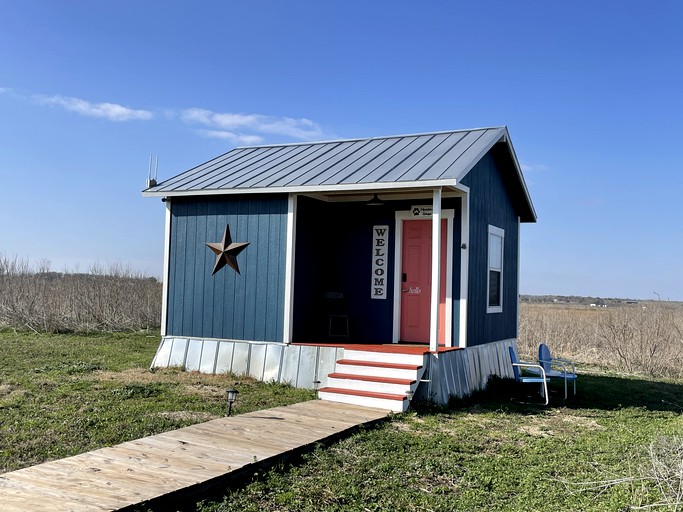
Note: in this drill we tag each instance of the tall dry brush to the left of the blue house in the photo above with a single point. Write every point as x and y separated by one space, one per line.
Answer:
111 298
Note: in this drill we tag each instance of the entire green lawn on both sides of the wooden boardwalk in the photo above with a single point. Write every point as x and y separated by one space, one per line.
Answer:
499 450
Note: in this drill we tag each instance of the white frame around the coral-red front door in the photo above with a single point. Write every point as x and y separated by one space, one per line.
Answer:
448 215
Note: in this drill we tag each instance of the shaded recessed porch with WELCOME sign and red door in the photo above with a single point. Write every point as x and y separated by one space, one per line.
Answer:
379 272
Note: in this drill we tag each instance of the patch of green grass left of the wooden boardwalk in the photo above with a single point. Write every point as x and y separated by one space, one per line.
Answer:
61 395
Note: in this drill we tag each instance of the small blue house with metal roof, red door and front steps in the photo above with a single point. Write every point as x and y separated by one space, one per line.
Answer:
376 268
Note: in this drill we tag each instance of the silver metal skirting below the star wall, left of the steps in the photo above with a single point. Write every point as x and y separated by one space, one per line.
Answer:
298 365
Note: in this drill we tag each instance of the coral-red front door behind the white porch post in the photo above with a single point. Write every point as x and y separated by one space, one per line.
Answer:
416 274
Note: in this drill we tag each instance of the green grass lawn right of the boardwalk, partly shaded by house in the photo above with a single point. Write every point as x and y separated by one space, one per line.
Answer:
490 453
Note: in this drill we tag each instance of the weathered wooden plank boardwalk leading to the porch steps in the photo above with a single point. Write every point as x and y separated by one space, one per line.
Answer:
179 462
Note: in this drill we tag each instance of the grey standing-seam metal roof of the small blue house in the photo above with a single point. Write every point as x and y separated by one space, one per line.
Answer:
372 164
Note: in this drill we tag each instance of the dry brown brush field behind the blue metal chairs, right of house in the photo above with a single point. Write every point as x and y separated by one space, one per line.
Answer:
636 339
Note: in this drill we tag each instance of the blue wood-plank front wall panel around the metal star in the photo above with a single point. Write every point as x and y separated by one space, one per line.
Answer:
249 306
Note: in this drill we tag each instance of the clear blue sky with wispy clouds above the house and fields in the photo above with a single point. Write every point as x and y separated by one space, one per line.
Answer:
592 93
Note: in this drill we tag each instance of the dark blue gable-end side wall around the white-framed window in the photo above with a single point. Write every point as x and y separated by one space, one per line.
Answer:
490 204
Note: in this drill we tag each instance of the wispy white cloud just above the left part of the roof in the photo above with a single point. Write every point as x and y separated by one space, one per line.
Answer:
252 125
